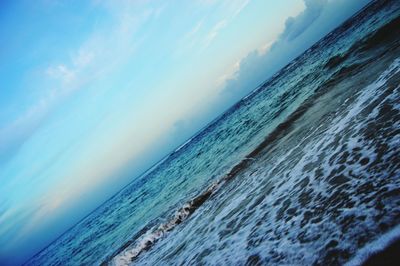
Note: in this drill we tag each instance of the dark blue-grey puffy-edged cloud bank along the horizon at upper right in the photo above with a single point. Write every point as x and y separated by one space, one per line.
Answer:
317 19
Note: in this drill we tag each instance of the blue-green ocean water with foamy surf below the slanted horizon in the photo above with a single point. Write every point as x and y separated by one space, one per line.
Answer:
304 170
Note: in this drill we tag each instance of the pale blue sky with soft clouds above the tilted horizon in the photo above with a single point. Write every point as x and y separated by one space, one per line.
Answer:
93 93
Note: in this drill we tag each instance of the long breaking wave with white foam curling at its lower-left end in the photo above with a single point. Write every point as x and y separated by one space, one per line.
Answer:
151 233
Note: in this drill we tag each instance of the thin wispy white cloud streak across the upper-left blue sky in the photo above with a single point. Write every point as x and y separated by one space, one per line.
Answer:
102 52
